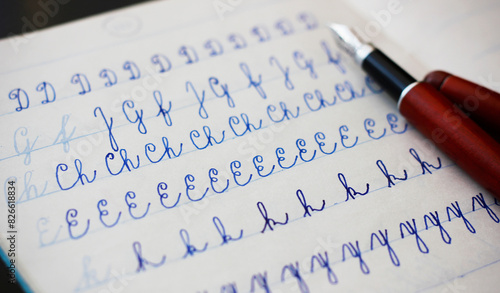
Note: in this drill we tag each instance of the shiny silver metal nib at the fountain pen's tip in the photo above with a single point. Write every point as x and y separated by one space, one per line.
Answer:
350 42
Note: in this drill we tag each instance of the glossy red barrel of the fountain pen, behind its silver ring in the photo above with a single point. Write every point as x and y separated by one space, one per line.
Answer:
455 134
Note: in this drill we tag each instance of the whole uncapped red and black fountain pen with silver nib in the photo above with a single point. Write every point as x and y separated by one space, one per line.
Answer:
430 112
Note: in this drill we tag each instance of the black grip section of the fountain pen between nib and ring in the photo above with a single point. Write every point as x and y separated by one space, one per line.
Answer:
387 73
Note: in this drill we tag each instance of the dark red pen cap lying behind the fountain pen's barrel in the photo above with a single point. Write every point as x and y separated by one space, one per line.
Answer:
482 104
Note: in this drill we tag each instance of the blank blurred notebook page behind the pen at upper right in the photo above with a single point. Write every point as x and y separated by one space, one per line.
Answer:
427 35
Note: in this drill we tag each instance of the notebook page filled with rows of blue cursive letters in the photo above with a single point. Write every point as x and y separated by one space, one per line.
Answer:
173 147
